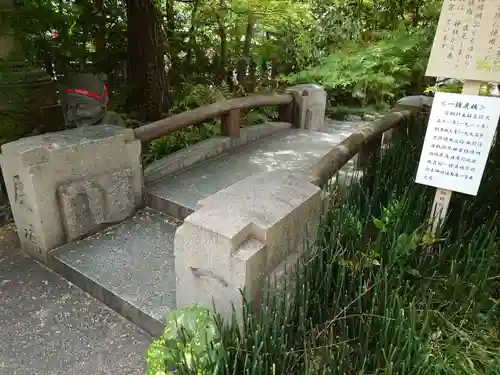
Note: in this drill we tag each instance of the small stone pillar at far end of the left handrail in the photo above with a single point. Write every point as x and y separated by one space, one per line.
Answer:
310 106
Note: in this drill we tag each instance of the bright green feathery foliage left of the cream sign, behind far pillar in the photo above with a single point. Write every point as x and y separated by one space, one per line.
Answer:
372 72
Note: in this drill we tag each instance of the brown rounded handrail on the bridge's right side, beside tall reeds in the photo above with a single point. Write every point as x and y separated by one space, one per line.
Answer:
366 141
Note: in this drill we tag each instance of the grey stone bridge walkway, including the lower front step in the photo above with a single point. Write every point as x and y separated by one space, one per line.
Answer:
131 266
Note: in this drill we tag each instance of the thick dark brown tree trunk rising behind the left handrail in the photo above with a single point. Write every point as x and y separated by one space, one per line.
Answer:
146 64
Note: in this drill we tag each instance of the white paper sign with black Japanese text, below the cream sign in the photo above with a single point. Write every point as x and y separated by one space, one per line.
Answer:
457 142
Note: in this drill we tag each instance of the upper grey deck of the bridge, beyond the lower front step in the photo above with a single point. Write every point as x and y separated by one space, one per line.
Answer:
295 151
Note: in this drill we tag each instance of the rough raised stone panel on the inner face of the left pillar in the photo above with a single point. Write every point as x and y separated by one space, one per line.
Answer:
89 203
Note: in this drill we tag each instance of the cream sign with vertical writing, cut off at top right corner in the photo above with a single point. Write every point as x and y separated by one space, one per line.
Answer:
467 41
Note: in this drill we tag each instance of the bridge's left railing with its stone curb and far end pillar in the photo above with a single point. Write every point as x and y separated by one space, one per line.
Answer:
300 107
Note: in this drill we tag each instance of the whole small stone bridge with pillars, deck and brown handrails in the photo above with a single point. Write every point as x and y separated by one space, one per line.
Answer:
196 226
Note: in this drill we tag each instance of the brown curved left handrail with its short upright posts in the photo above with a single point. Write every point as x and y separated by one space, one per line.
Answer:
228 109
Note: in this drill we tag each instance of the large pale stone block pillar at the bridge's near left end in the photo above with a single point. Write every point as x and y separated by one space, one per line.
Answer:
65 185
